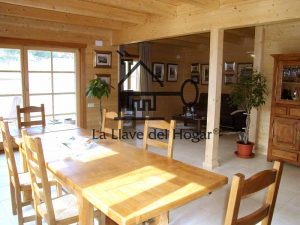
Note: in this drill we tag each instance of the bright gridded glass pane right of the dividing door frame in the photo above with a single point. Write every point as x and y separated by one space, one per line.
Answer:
56 71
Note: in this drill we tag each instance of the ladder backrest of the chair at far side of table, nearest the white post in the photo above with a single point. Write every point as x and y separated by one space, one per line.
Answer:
163 125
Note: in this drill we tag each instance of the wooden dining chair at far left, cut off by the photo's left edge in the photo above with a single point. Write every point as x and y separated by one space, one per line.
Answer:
18 182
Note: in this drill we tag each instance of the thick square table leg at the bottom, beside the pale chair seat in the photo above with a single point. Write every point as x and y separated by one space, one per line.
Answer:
86 212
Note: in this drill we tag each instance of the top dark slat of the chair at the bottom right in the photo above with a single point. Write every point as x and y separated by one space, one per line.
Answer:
259 181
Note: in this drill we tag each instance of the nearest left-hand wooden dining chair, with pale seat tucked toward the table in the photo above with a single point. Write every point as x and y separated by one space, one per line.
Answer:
54 211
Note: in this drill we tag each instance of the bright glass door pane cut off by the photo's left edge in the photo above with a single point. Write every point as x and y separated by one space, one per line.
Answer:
10 82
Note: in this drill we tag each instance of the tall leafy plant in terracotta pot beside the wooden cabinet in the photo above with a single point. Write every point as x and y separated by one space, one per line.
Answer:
250 92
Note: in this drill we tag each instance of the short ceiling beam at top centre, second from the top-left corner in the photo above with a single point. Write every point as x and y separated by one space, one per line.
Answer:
145 6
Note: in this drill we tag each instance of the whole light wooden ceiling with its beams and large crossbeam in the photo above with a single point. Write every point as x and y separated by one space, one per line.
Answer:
129 21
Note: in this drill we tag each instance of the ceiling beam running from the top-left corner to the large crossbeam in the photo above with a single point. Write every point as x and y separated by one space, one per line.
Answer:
84 9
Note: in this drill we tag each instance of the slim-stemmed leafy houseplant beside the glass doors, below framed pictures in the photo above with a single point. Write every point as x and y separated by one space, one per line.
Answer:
98 88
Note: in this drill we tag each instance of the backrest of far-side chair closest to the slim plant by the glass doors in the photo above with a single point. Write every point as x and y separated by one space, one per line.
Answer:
111 117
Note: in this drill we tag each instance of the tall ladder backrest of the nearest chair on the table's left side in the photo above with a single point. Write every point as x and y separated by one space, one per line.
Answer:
39 179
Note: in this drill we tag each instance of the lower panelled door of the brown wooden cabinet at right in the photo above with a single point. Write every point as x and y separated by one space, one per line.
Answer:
286 133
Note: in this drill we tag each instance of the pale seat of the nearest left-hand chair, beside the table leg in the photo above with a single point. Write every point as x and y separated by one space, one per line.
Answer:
65 208
